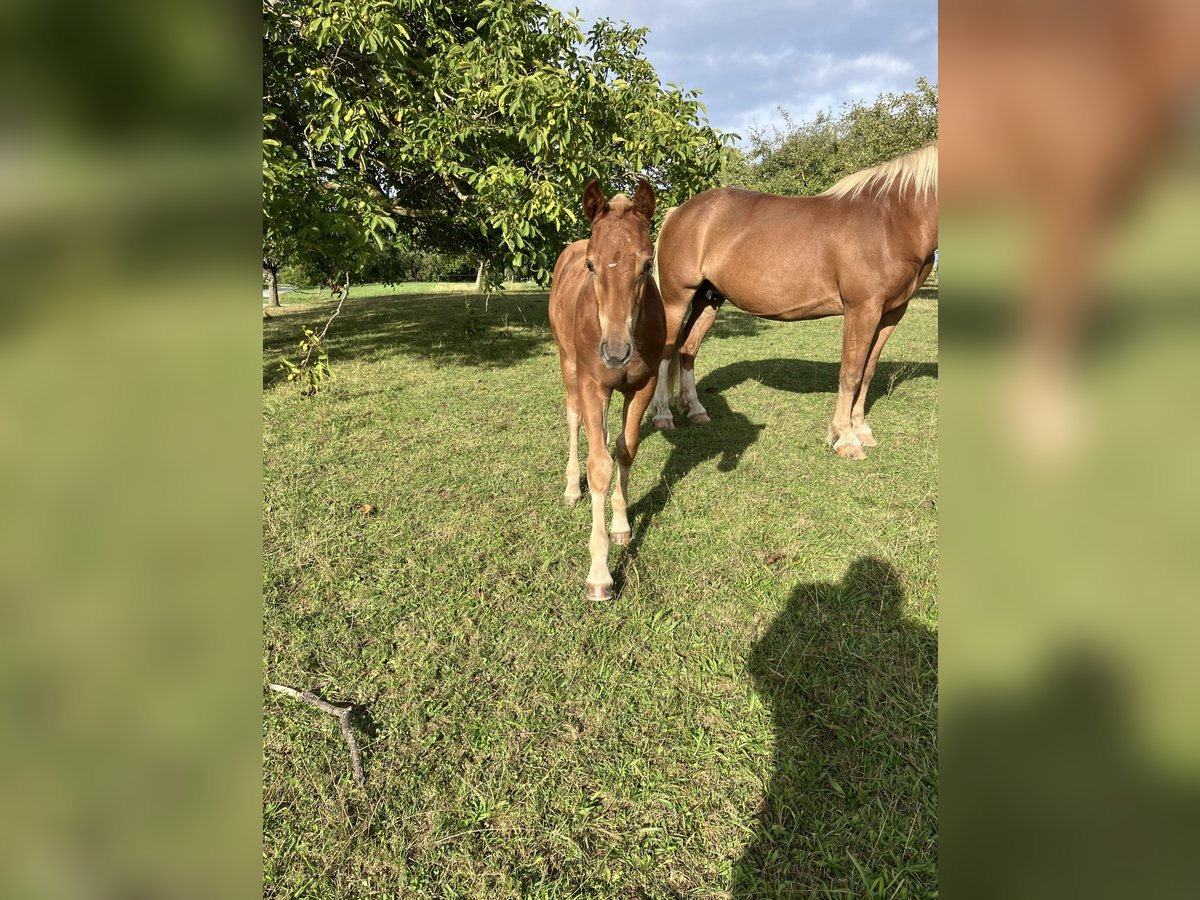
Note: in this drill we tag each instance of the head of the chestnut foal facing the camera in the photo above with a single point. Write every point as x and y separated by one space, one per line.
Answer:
620 259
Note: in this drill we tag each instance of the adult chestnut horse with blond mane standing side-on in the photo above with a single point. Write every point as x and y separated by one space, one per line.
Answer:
860 250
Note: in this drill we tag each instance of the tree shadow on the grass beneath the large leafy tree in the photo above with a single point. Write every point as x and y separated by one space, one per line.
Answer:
443 329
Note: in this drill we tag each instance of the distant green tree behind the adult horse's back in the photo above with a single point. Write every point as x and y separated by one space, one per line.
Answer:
806 160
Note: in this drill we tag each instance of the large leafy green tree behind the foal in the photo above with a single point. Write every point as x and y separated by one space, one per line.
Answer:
466 128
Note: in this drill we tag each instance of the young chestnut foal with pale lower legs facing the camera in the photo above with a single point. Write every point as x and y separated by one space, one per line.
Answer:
608 319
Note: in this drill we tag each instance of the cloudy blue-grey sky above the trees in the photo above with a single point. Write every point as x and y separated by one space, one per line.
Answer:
752 58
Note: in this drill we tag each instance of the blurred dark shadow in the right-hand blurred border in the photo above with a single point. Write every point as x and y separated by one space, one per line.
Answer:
1054 789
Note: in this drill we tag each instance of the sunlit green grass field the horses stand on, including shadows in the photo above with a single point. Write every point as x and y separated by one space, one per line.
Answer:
753 716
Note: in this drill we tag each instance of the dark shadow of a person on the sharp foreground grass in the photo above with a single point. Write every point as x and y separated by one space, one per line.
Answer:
853 803
